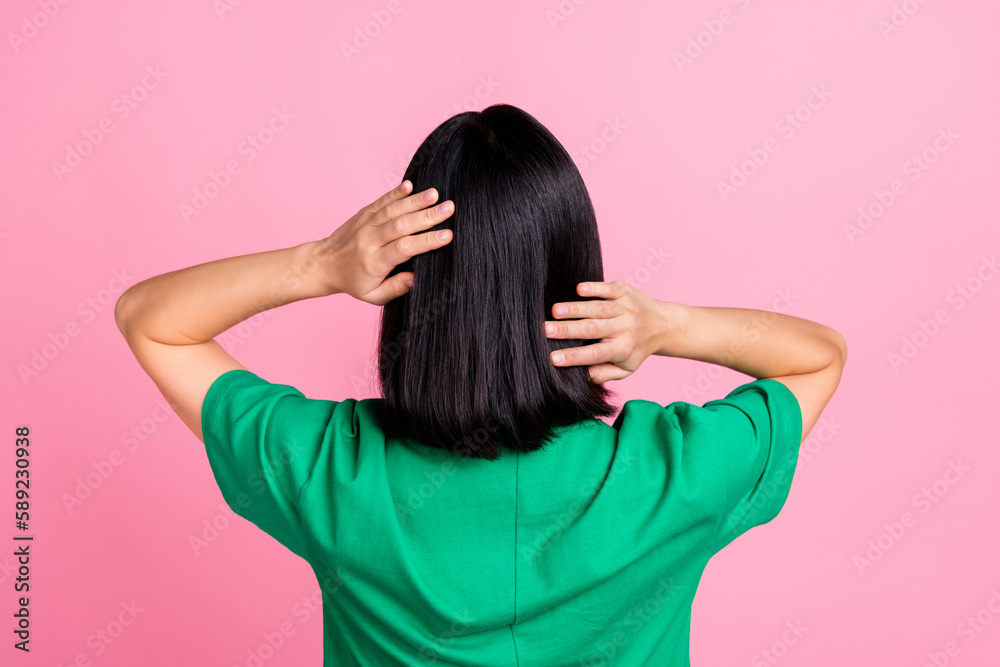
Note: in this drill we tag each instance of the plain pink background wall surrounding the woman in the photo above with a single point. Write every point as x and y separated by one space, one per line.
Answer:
661 136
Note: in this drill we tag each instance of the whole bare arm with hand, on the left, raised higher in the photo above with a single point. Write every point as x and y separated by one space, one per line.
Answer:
170 320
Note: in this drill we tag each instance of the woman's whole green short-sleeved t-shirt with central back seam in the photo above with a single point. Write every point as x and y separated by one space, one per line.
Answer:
587 552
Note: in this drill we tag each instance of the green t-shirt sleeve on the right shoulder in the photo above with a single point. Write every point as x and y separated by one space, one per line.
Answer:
756 431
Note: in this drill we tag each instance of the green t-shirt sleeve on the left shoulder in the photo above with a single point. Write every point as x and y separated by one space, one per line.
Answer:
262 442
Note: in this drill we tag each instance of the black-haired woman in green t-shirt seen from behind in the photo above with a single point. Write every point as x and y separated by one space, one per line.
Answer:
480 513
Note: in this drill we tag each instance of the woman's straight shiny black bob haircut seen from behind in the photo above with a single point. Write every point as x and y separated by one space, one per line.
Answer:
463 357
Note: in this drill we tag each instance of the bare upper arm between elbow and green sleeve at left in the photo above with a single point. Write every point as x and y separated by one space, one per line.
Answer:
182 373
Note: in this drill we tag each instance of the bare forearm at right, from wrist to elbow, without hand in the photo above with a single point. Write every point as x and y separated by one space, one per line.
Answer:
755 342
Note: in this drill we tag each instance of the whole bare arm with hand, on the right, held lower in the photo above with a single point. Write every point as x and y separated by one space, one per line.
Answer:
805 356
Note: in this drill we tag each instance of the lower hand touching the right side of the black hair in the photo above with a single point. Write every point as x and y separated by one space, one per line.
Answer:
630 324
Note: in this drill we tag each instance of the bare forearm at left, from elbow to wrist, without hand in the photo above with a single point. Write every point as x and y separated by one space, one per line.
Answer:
196 304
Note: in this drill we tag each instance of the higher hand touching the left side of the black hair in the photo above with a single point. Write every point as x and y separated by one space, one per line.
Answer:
361 253
